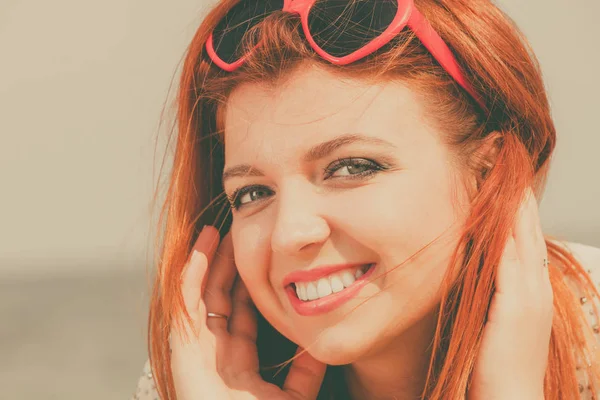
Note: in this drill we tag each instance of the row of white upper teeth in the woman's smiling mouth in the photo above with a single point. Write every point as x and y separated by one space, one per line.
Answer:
330 284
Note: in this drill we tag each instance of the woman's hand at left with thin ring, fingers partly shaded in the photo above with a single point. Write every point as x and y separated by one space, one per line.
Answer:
221 360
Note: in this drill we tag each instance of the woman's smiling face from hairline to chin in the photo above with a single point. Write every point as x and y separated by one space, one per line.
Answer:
335 176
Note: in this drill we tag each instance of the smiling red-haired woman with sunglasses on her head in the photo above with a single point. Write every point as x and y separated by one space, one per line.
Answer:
375 192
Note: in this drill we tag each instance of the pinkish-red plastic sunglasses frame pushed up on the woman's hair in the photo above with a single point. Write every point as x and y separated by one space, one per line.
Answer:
407 15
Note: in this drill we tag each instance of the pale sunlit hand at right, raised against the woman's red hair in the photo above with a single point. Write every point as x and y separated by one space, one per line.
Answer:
512 360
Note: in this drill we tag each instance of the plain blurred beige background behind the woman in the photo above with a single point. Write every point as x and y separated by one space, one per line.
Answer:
82 86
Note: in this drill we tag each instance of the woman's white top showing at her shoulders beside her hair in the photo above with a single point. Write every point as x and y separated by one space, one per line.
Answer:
588 256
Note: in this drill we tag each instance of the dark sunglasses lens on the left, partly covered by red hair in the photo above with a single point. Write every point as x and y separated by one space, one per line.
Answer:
228 34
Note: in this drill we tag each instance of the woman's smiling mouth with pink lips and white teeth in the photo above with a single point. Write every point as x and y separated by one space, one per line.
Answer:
328 292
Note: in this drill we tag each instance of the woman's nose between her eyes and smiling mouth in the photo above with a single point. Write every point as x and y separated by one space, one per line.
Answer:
298 225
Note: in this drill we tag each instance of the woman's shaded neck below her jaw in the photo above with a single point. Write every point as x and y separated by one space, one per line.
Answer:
397 370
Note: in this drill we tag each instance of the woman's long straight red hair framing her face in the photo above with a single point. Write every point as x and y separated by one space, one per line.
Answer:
501 66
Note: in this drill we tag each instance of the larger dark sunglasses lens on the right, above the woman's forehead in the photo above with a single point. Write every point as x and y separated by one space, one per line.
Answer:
340 27
